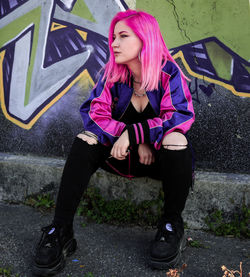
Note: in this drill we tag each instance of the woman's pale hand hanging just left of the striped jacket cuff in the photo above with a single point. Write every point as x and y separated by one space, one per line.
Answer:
120 147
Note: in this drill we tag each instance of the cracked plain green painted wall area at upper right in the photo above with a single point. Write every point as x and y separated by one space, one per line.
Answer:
185 21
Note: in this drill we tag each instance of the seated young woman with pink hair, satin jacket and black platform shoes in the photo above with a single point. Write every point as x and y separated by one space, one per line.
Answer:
135 122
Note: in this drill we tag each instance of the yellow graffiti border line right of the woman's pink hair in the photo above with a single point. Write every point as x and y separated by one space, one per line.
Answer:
210 80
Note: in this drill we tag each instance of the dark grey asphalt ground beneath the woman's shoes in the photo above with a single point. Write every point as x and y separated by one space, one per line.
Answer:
111 251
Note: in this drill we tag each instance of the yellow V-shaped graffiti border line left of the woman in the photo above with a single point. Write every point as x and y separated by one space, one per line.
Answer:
84 75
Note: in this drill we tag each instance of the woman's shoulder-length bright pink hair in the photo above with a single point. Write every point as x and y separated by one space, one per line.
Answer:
154 53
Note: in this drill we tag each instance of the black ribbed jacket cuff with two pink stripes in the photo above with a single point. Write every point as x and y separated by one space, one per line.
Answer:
138 133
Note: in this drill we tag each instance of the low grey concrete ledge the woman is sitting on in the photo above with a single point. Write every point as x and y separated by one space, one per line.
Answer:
22 176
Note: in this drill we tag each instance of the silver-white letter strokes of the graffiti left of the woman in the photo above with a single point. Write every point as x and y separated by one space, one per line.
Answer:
45 82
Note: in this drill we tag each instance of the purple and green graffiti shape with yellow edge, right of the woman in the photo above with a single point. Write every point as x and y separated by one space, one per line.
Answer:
198 60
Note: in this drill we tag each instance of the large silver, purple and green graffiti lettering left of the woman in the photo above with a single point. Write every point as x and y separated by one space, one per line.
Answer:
44 51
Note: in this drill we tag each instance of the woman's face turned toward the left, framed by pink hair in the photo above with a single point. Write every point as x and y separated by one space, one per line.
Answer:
126 45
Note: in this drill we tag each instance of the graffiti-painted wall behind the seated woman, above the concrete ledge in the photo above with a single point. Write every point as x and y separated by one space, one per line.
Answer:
52 50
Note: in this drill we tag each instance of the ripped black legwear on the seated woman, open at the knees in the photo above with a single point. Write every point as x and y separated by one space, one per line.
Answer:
173 167
